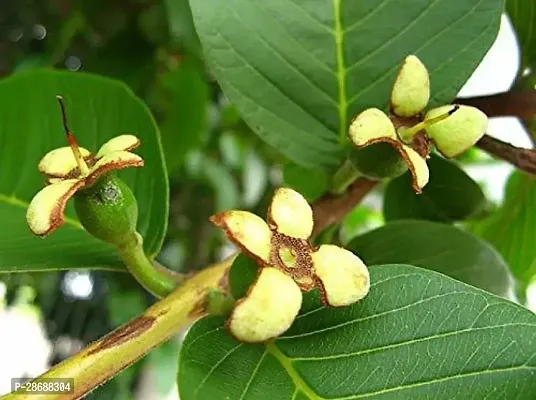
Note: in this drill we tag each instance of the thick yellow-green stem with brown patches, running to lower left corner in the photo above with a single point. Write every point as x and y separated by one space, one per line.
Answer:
103 359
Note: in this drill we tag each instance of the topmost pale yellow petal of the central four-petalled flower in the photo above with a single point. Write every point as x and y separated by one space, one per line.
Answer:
291 214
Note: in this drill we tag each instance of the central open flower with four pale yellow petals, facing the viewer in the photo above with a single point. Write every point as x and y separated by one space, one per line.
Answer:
288 265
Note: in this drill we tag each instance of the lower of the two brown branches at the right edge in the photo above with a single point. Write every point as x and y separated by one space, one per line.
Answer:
524 159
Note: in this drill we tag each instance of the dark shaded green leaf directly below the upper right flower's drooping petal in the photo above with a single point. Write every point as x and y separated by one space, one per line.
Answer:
451 195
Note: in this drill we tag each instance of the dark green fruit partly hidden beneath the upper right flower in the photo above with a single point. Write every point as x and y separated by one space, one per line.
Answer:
378 161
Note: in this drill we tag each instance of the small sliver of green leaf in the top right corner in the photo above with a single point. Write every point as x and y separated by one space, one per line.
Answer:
522 14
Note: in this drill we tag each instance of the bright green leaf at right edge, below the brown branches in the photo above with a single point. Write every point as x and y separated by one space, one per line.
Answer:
511 228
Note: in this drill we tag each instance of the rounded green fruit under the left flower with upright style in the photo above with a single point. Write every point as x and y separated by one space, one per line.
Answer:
108 210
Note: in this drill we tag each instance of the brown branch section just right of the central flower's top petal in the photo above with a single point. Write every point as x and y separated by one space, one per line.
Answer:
332 208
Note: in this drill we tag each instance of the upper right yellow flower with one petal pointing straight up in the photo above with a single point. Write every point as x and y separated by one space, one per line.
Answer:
452 128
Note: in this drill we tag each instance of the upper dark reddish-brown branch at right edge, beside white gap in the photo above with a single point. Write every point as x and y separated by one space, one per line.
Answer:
519 103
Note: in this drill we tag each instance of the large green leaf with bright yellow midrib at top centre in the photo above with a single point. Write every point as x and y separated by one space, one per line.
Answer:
298 71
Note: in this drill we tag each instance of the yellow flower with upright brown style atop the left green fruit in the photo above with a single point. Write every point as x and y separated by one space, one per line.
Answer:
72 168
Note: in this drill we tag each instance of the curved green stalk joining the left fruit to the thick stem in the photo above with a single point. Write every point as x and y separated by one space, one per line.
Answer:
156 281
